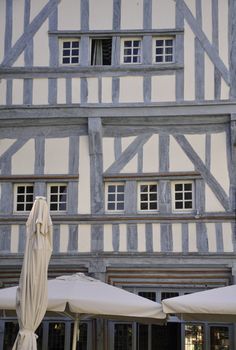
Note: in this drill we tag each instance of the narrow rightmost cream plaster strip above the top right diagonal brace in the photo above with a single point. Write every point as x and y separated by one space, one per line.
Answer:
223 31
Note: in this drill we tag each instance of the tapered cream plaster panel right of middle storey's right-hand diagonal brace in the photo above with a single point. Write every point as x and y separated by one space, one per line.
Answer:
219 166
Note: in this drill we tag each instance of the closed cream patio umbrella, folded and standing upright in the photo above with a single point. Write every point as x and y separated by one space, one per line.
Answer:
31 294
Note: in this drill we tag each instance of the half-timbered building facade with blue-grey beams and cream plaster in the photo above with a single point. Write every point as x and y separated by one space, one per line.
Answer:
122 114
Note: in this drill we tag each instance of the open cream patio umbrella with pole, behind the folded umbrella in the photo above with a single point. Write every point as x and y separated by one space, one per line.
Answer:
82 296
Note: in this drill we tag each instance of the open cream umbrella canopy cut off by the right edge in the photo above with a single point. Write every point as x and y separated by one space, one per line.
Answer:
218 305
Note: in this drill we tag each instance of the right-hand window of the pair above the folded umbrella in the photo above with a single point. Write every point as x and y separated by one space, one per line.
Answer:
57 195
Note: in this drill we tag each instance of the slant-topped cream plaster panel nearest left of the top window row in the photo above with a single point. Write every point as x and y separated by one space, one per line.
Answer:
41 46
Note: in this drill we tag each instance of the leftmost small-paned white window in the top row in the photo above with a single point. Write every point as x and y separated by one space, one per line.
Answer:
70 51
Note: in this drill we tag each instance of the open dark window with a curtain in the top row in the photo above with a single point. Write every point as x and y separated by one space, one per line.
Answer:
101 50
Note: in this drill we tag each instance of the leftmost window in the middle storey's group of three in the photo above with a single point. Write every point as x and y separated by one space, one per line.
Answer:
115 196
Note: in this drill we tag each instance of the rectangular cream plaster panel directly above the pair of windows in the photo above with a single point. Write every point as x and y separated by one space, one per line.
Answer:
56 156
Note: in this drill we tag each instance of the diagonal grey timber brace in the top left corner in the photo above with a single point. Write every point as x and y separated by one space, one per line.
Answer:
32 28
